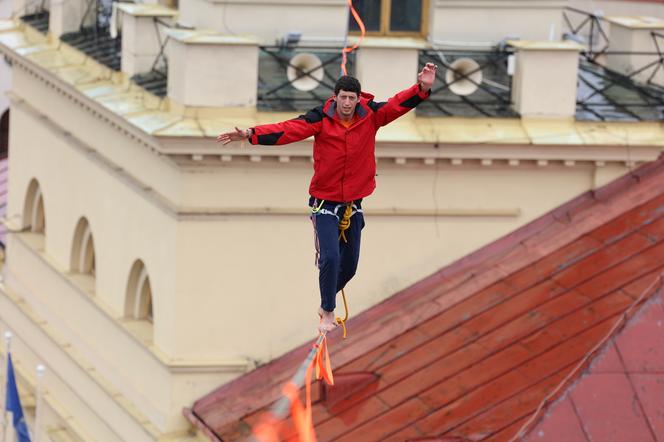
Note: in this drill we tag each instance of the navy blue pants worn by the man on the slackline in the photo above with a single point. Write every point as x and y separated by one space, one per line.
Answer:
336 260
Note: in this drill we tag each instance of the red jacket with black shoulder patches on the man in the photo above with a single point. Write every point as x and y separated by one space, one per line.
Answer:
344 159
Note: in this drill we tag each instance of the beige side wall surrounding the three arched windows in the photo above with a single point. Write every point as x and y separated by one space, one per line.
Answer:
126 226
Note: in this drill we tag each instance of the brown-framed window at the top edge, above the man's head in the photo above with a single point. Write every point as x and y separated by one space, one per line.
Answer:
391 17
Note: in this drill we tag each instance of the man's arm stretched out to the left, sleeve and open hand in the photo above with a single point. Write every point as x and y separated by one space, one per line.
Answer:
285 132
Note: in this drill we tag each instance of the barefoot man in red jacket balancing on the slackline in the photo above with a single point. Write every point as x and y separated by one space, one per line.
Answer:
344 130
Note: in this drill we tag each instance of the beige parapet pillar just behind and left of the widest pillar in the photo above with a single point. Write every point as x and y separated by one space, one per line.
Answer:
141 35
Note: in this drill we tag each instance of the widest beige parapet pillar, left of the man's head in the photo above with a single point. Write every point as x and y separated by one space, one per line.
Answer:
206 68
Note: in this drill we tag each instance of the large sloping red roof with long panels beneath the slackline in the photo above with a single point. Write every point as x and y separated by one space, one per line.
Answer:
472 352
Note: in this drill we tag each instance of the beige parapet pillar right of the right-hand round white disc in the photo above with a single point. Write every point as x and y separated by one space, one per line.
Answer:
544 82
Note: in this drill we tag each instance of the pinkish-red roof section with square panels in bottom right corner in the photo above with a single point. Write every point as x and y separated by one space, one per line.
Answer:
621 398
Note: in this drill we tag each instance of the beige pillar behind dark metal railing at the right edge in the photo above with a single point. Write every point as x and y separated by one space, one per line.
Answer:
634 34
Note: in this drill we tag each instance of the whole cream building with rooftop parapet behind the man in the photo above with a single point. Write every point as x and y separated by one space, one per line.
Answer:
147 265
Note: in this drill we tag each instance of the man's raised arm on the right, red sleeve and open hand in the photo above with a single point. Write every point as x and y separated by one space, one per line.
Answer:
405 100
